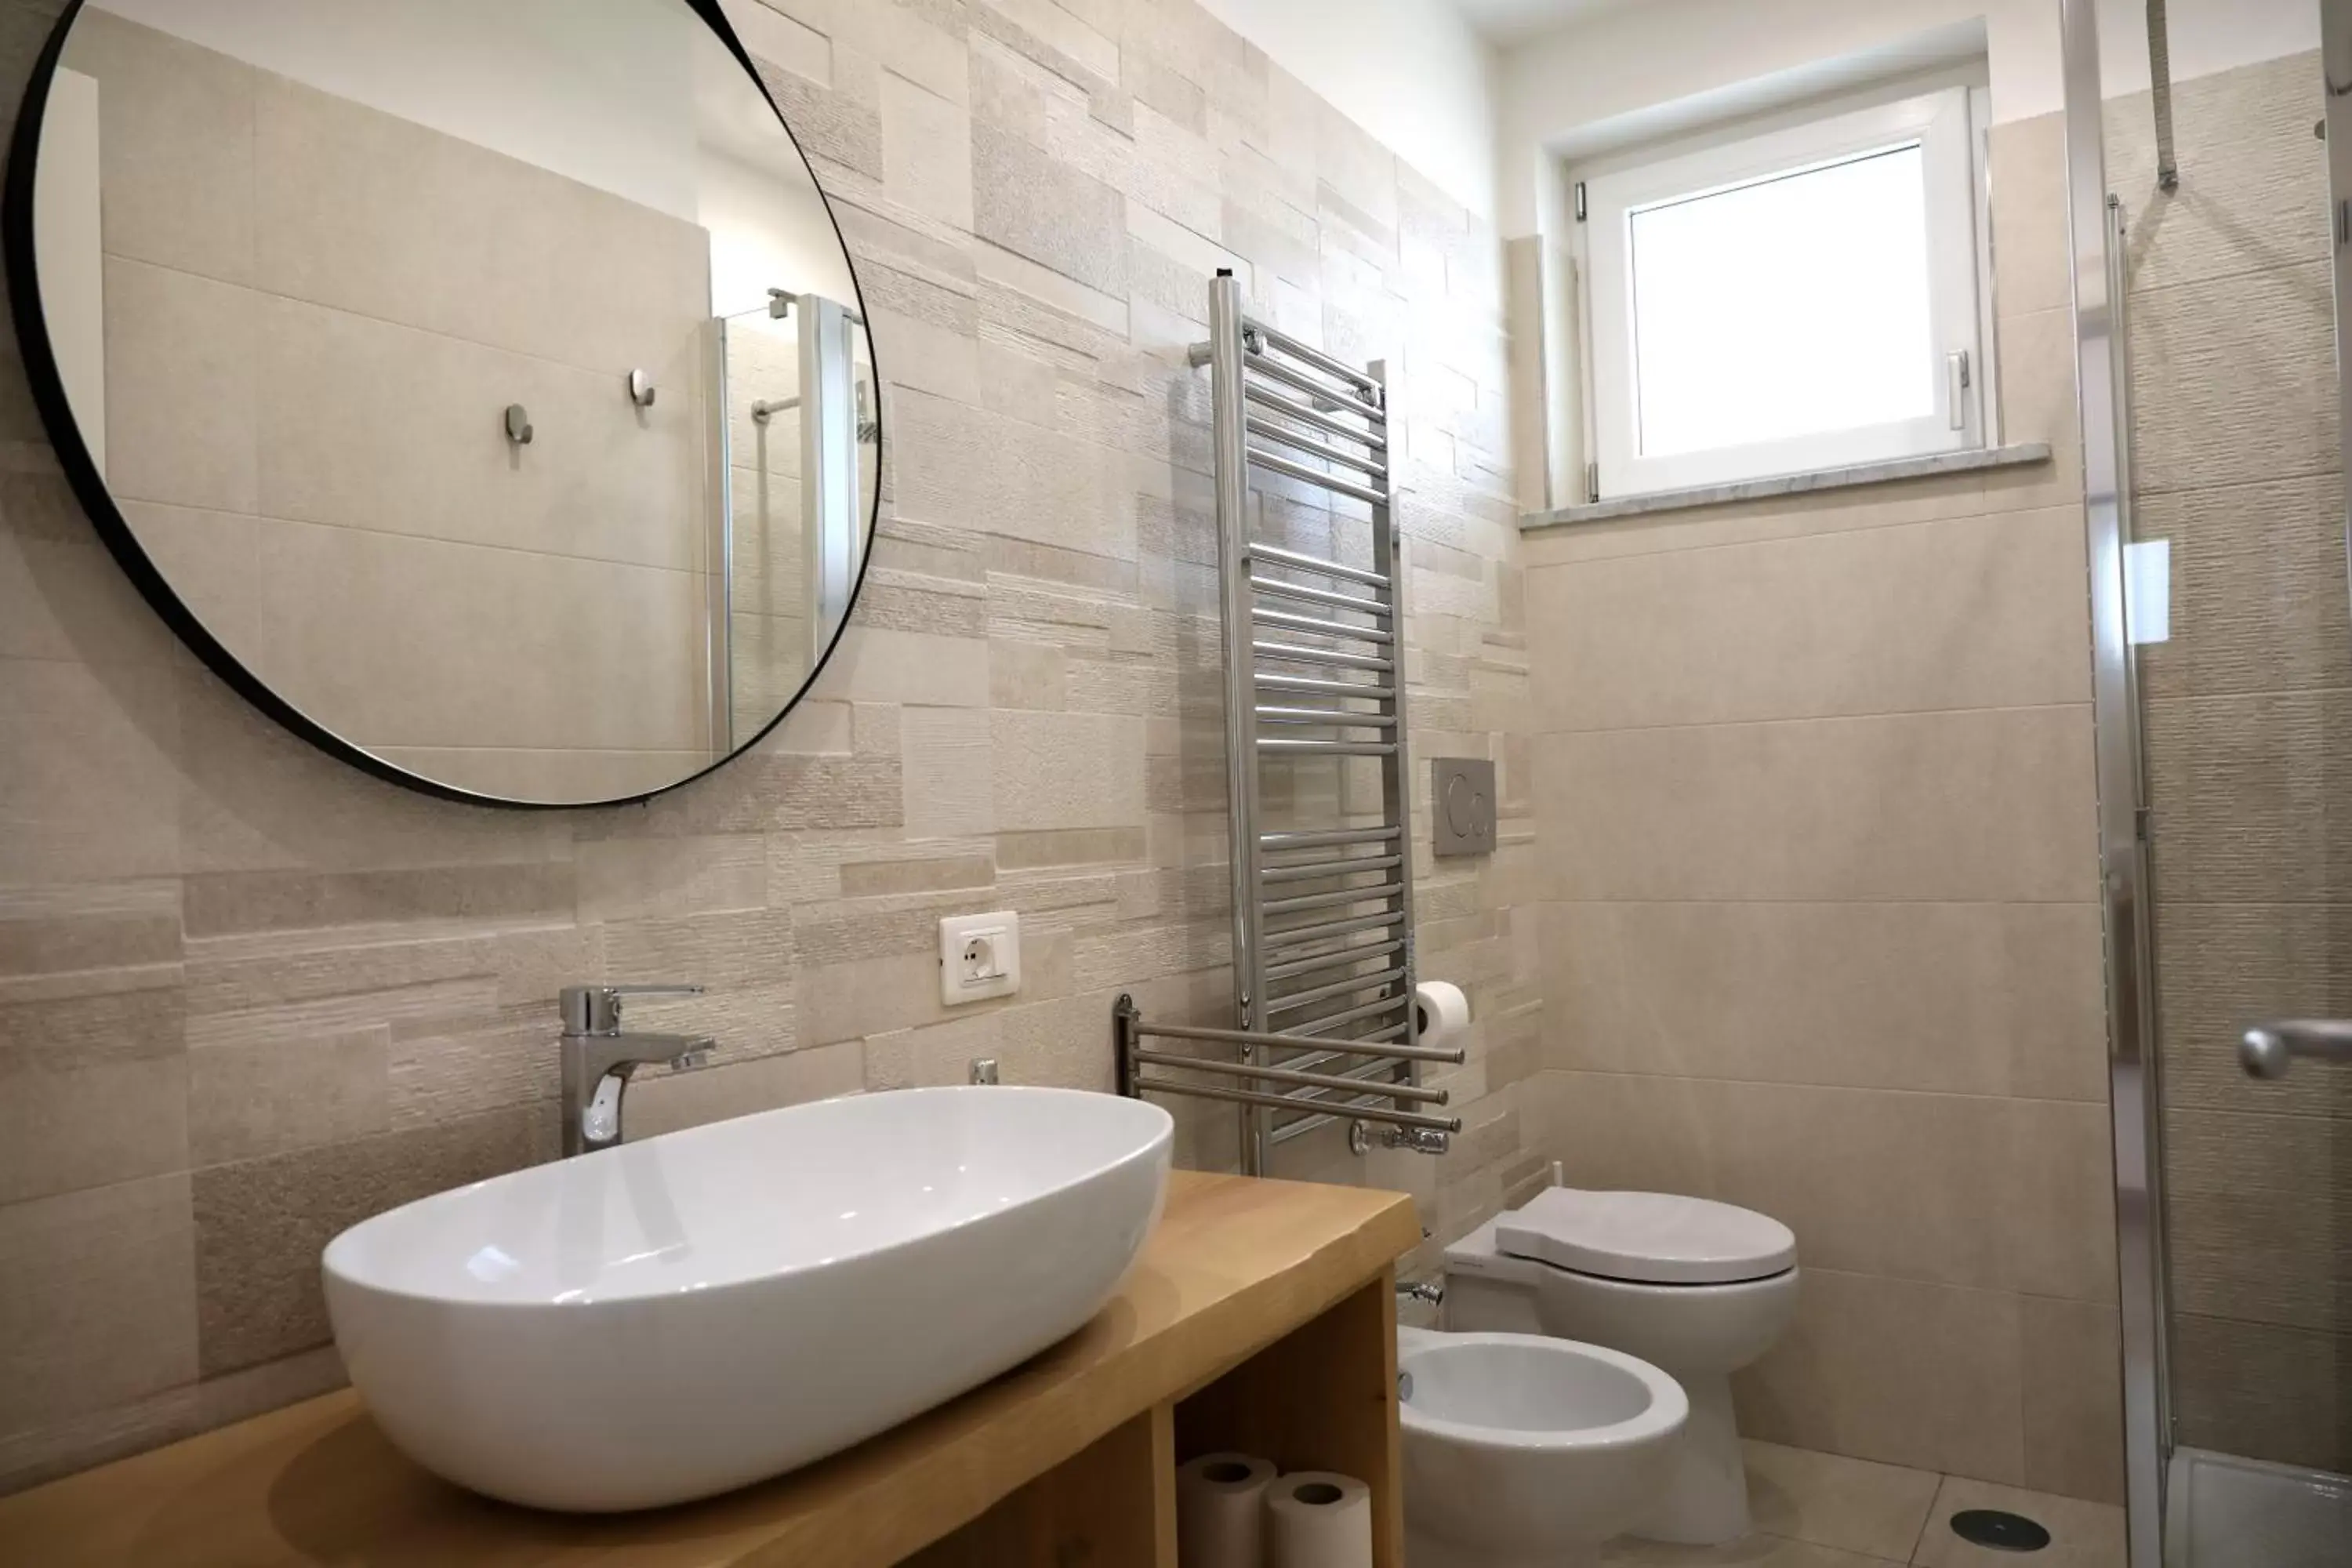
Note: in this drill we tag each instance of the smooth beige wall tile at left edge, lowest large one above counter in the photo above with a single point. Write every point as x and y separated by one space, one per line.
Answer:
98 1306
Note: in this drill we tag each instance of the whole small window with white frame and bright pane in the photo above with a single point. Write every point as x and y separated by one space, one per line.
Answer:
1791 302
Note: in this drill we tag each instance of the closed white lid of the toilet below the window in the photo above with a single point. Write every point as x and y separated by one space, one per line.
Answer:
1648 1238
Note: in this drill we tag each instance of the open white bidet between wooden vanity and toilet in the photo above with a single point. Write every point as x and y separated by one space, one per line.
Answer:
1525 1452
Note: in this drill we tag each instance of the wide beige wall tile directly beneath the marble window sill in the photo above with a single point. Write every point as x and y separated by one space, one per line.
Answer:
1982 612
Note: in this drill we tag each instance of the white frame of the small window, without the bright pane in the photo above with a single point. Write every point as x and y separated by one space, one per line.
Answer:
1942 123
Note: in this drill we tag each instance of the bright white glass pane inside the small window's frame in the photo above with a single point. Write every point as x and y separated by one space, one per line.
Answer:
1784 309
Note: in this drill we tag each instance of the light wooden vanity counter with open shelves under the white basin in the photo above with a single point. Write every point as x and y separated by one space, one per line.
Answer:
1262 1318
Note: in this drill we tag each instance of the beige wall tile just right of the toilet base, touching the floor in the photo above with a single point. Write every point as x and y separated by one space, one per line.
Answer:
1852 1379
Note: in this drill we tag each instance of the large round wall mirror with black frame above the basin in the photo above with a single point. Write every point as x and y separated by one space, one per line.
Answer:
481 387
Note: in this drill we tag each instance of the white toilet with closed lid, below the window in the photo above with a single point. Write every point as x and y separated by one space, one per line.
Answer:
1692 1287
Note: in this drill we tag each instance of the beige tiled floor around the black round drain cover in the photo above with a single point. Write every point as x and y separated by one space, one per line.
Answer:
1819 1510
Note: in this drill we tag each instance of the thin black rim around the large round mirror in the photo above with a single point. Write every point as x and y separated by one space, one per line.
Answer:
123 544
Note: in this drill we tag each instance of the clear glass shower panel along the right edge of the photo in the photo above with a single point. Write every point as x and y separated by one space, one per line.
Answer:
2240 690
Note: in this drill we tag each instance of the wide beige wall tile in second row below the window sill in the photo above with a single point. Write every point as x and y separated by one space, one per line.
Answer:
1989 805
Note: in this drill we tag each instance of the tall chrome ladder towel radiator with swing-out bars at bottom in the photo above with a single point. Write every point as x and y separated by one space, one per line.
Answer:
1323 913
